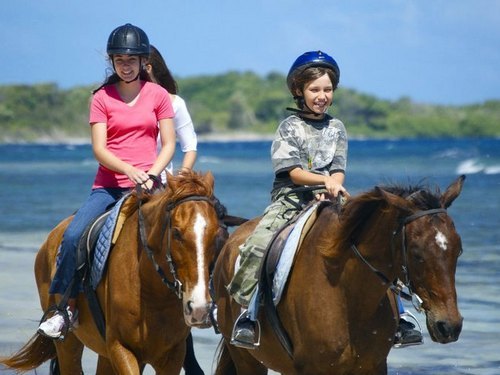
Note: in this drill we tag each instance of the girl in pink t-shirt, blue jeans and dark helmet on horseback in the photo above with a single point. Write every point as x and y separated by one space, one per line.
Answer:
126 115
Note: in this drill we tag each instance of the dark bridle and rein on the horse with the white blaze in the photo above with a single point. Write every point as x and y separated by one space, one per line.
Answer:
176 284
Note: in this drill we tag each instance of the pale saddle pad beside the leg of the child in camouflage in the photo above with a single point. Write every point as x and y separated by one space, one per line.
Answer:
287 257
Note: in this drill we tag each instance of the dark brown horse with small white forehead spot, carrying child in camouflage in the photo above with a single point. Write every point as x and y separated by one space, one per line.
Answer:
336 309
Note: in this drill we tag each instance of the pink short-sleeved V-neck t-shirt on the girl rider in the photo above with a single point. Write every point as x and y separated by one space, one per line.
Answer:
131 130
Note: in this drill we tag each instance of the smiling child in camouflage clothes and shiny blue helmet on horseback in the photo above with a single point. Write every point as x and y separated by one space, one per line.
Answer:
310 148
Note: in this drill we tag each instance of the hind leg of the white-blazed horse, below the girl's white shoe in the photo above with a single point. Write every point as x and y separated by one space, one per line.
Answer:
69 356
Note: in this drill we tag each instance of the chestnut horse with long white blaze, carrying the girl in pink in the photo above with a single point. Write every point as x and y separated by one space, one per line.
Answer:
146 321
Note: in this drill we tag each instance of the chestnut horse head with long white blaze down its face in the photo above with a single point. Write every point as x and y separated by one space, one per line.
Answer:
182 228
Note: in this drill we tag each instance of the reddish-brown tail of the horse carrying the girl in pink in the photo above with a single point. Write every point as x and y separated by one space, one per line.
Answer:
34 353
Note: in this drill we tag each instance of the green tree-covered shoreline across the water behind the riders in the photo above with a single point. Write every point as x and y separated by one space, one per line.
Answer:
237 102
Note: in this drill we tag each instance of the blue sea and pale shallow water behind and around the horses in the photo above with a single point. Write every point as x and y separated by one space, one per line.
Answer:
42 184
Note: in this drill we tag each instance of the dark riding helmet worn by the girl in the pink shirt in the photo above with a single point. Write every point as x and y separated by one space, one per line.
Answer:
128 40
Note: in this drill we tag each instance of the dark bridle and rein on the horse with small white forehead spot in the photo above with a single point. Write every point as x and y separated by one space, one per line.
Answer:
398 286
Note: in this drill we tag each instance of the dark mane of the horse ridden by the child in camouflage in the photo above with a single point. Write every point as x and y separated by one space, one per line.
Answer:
358 210
